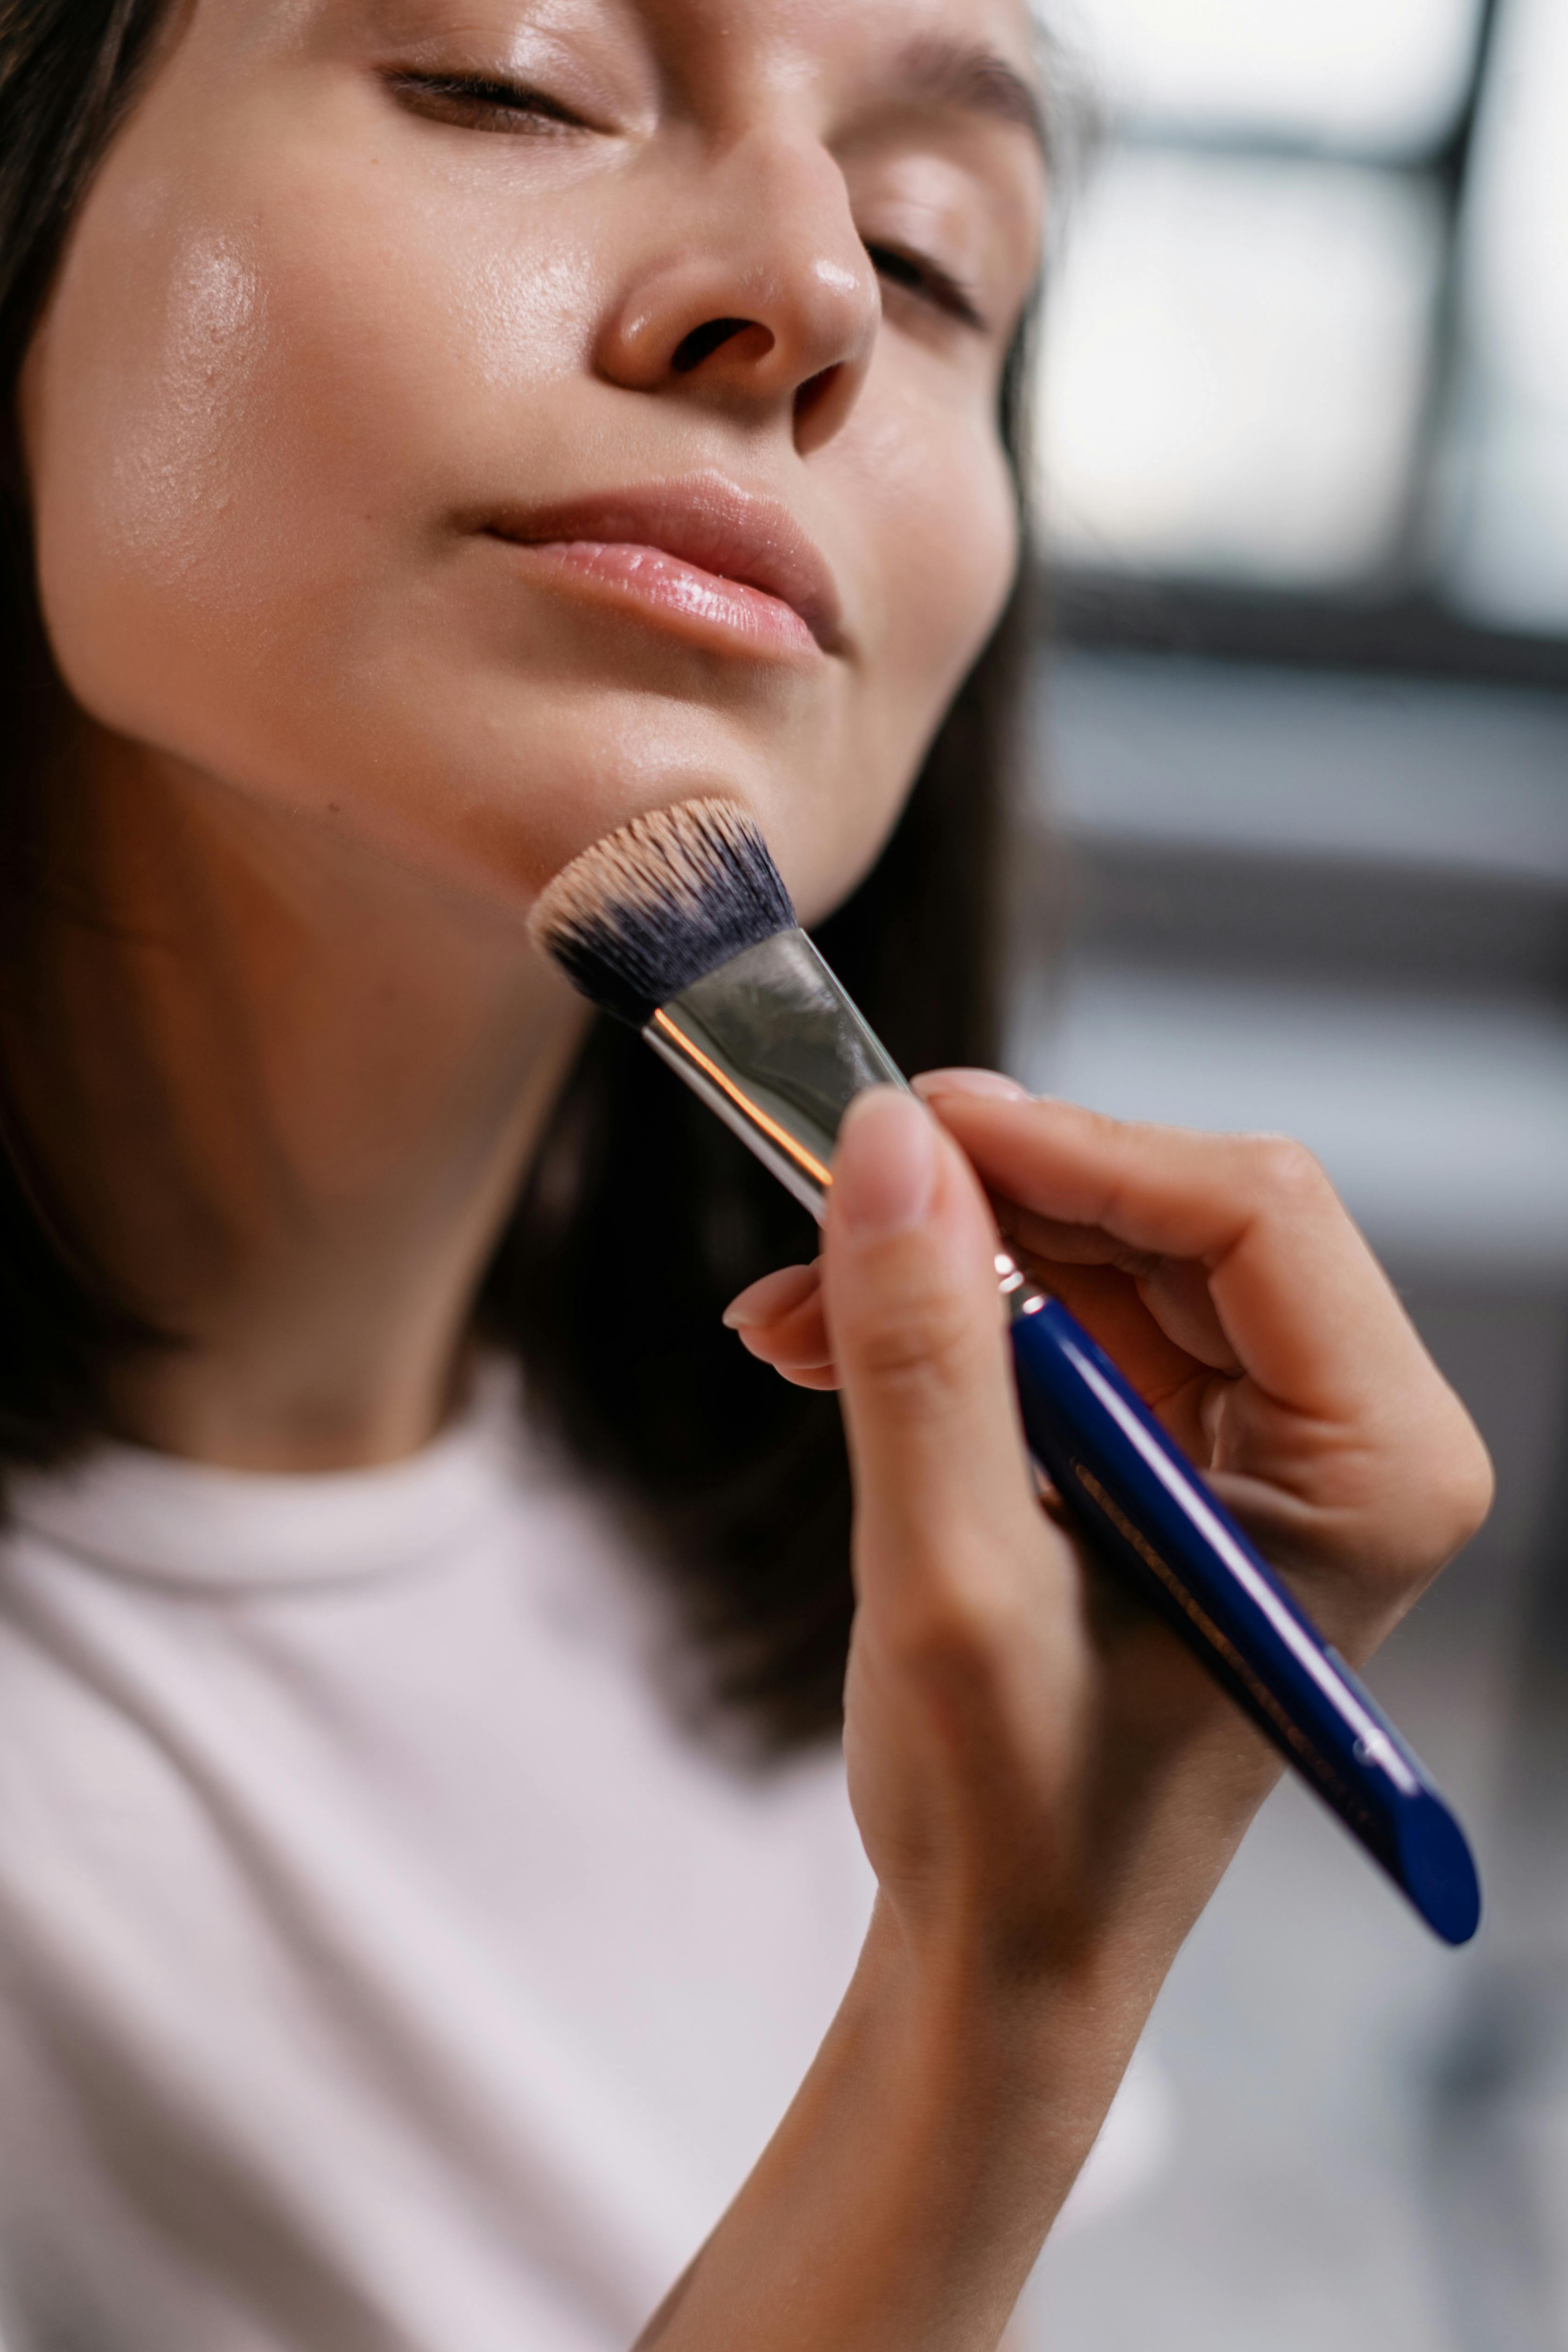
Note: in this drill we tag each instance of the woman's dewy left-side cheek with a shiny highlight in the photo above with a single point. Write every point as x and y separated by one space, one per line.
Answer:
250 413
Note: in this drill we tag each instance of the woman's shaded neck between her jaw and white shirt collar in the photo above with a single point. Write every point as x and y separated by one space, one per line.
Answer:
283 1095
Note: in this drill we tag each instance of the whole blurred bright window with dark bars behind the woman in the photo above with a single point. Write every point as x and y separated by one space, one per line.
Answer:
1311 333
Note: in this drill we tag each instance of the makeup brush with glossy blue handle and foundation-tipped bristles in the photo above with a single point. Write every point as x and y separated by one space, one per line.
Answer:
681 926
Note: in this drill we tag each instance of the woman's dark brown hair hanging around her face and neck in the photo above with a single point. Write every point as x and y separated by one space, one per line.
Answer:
641 1215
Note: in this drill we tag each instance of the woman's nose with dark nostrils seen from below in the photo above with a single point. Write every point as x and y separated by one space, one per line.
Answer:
760 298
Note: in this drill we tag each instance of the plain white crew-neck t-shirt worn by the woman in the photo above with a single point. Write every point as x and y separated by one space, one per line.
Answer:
382 1965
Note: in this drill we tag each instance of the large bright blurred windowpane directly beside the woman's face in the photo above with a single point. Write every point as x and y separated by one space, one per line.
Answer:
1238 366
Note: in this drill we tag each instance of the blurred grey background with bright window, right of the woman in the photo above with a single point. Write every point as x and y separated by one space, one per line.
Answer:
1304 742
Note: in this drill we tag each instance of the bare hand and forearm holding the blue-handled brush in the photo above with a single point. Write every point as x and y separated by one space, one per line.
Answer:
1045 1782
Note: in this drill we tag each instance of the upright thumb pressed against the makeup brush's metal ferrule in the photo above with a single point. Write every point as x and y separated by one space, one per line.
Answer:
918 1337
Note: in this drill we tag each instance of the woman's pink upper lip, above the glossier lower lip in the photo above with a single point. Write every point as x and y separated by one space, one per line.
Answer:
702 521
